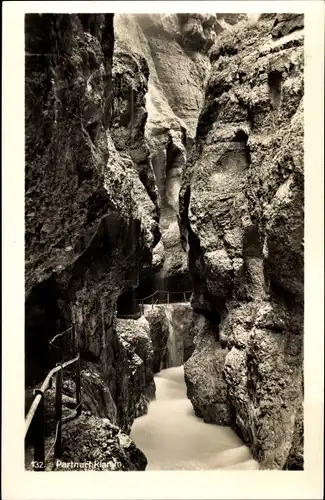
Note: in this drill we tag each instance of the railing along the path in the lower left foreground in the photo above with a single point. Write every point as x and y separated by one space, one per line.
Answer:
36 413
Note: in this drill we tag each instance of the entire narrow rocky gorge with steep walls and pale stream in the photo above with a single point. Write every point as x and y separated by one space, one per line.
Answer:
164 240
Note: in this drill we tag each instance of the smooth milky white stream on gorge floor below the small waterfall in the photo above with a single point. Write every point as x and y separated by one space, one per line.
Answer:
173 438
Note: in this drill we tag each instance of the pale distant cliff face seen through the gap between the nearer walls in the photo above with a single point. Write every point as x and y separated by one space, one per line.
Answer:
175 47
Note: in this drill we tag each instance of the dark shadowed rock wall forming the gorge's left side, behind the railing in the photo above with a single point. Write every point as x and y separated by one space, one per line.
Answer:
91 206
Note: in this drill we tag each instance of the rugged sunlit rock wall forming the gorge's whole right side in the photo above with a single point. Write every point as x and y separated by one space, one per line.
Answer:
242 201
